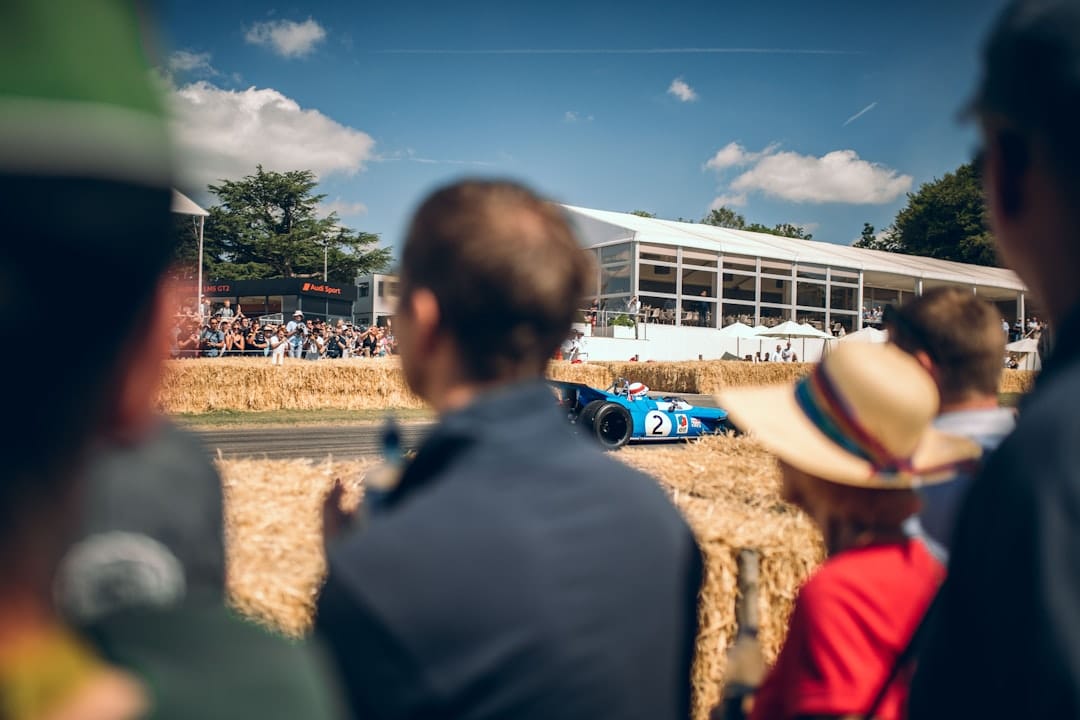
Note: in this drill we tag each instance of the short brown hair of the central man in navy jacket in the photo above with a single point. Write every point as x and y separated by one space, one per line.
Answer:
506 268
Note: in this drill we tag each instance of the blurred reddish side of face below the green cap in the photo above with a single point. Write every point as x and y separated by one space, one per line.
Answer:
138 386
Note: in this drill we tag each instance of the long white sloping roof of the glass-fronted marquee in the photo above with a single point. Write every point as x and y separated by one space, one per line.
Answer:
603 227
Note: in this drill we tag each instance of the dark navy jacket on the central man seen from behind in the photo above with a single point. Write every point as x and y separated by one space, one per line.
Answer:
516 573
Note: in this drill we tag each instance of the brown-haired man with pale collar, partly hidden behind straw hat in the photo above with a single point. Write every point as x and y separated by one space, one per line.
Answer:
957 338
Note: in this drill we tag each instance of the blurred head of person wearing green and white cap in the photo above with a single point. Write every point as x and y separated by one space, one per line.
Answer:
85 191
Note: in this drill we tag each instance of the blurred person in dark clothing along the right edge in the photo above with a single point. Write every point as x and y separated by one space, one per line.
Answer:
1006 643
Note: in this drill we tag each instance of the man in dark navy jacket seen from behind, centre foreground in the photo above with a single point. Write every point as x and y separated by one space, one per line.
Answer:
516 572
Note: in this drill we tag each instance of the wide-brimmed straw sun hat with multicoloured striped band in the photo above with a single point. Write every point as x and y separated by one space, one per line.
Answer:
862 418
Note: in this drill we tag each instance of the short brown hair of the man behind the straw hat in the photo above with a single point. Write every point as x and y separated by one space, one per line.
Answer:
961 334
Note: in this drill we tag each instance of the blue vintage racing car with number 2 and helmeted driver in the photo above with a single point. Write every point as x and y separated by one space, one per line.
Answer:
626 412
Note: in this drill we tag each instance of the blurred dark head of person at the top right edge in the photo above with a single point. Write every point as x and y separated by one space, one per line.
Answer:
1028 105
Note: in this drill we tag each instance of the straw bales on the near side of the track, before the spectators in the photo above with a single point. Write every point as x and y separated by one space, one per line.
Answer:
726 487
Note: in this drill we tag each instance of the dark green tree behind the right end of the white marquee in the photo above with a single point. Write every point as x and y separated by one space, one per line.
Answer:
946 220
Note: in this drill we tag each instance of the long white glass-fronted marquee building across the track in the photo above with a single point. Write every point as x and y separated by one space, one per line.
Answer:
695 279
